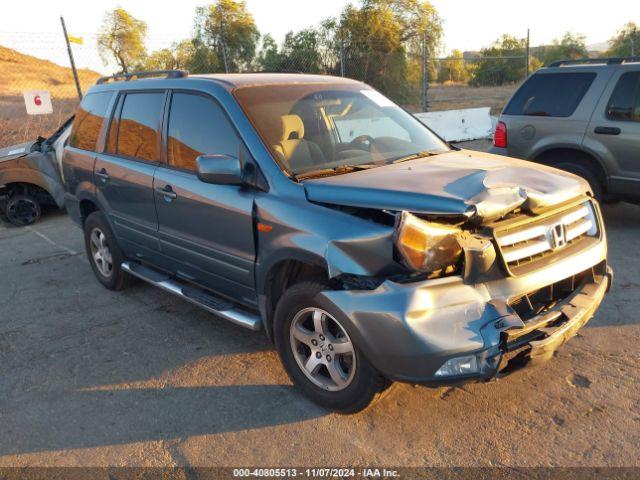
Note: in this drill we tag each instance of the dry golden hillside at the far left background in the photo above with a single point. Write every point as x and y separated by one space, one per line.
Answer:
23 72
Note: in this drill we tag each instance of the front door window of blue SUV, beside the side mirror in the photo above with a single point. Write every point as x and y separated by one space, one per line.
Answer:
198 126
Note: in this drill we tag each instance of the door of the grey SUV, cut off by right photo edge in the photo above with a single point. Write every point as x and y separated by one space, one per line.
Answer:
615 129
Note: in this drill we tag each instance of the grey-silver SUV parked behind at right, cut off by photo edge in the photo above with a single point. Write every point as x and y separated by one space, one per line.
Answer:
582 116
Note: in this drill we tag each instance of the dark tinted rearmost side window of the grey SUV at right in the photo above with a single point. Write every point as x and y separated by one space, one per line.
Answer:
551 94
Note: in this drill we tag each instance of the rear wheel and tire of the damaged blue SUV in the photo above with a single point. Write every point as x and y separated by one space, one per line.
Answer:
104 254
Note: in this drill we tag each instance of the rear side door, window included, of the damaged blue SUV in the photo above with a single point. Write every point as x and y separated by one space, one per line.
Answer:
124 172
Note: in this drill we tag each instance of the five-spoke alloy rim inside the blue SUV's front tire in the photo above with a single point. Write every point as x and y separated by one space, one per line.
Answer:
323 350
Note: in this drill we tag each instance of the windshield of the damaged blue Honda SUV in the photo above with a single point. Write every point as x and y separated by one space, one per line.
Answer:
323 127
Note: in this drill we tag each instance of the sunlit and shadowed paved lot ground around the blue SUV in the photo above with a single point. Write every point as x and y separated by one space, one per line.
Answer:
90 377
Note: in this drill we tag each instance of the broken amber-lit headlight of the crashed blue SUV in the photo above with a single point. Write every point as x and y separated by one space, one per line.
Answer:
427 246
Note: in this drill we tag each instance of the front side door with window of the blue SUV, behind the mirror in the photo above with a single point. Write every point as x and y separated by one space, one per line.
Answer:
207 230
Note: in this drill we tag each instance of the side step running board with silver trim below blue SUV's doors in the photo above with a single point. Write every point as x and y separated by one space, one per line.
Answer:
218 306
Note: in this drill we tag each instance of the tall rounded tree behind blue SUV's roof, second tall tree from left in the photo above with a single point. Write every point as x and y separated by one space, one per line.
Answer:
228 30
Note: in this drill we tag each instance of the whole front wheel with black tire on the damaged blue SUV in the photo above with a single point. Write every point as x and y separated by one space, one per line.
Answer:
320 355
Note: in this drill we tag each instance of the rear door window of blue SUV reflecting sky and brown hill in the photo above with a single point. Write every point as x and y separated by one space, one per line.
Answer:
138 127
